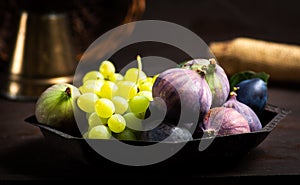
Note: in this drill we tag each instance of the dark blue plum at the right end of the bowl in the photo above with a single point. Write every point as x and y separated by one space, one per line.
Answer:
253 92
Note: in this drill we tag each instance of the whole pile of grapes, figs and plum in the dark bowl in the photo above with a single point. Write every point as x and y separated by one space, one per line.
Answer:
118 105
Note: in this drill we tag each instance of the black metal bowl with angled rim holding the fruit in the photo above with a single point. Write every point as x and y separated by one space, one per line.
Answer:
224 150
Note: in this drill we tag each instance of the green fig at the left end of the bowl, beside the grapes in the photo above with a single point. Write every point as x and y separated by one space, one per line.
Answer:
55 105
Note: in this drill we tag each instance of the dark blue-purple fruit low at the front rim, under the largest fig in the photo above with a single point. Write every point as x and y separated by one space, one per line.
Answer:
167 133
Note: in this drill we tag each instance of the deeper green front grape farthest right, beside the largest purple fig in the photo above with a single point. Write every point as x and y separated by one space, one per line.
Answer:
139 104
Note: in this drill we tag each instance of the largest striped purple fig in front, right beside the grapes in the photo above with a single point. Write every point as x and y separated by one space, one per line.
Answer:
185 92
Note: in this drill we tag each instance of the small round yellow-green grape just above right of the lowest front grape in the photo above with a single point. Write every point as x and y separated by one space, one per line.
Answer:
116 123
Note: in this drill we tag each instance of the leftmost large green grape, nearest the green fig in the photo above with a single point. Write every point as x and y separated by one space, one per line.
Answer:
86 102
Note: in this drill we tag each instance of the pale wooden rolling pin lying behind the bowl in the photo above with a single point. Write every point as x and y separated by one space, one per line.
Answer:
281 61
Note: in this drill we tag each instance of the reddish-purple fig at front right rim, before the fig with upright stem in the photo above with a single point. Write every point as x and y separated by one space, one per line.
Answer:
220 121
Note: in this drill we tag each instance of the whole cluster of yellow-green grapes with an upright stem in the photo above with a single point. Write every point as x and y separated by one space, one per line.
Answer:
115 104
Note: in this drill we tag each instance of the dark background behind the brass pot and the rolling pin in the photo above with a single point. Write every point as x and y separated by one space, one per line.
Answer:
211 20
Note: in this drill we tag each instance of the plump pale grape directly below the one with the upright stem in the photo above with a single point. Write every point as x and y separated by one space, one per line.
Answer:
126 89
